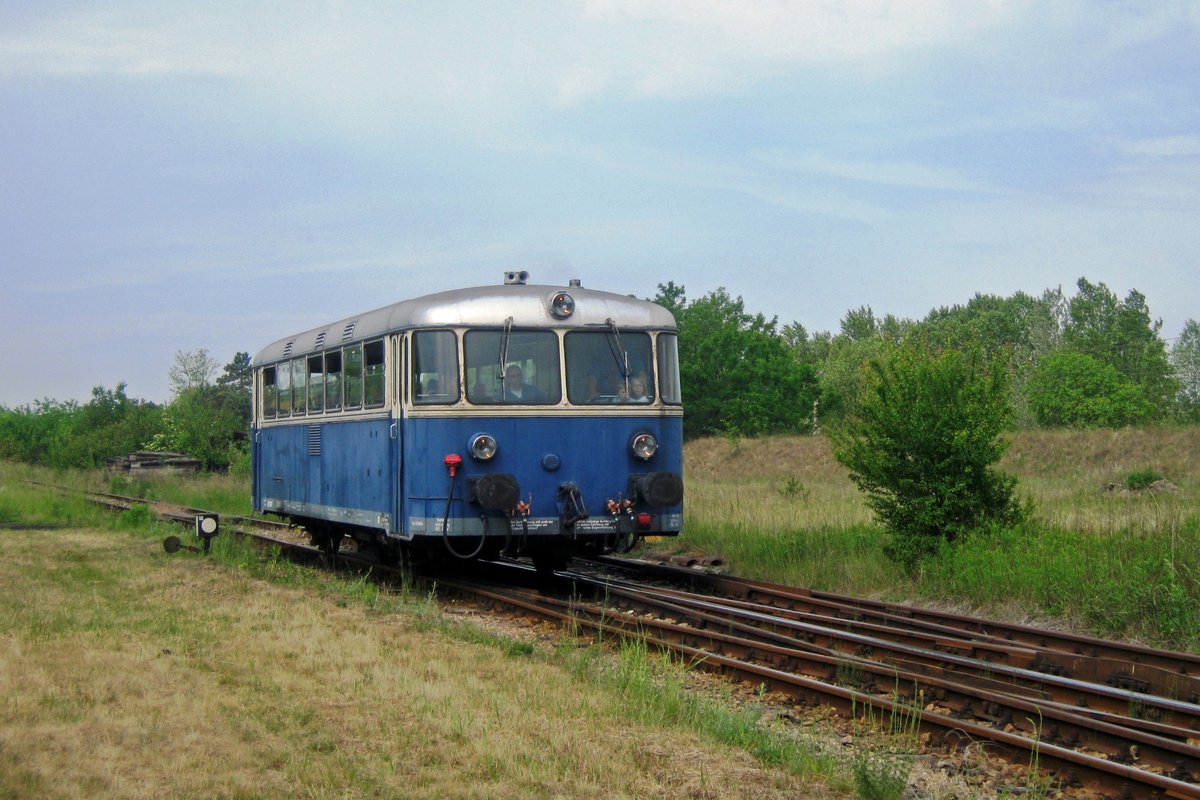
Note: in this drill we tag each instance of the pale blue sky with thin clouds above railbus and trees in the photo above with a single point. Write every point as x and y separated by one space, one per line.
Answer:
218 176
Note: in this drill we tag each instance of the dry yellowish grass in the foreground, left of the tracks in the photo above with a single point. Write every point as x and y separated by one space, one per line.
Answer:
127 673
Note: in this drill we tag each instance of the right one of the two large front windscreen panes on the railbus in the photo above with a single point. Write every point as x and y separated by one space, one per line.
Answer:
609 368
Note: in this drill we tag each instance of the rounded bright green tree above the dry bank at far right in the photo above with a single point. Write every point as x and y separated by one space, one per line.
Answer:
1076 390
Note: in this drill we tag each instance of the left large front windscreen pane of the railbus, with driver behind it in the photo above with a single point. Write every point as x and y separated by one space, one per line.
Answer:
530 374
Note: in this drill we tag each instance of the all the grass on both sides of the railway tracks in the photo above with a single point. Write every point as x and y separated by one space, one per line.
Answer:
135 672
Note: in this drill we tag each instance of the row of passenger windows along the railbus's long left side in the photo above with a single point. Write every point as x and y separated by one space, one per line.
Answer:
345 380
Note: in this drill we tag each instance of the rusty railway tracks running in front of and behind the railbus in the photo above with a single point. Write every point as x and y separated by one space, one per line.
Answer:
1118 719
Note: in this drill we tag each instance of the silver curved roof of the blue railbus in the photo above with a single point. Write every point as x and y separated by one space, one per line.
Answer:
477 306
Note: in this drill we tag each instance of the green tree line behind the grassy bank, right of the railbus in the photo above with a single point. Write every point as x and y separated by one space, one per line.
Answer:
1085 360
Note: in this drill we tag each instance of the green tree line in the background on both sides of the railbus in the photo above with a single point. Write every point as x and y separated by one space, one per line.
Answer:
1085 360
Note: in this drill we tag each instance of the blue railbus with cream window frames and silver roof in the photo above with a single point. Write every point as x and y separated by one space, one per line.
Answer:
520 420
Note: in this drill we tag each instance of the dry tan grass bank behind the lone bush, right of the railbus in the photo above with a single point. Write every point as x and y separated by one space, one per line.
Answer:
796 483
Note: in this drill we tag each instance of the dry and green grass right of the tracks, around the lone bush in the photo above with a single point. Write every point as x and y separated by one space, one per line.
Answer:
784 510
